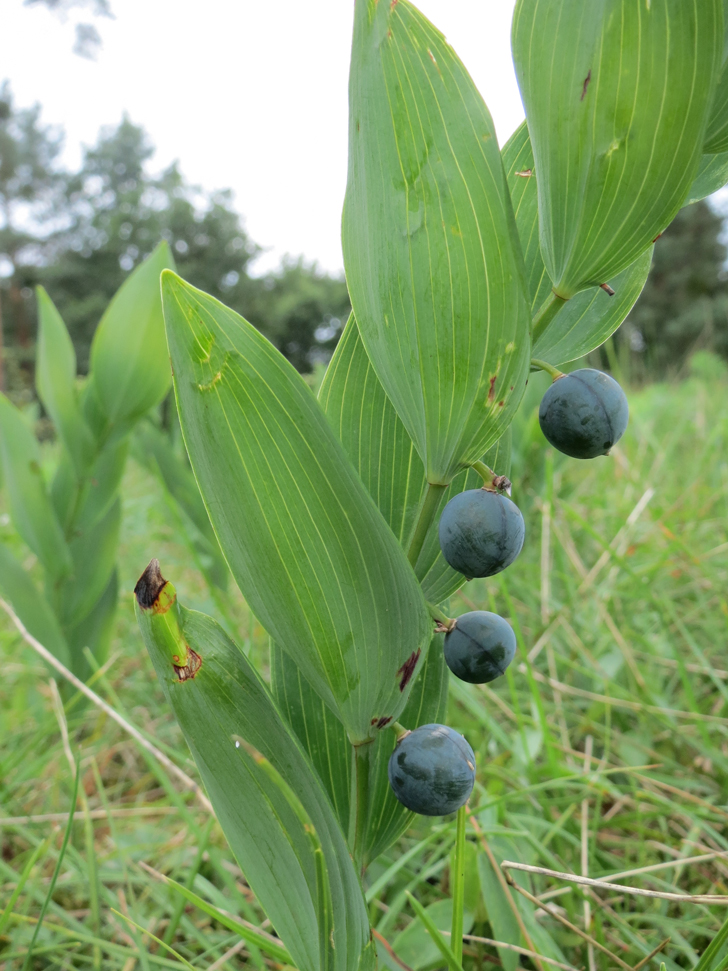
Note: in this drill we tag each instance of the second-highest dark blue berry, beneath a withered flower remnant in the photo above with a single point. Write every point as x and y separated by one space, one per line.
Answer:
481 532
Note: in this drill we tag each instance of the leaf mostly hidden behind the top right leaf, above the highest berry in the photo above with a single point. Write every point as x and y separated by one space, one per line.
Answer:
590 317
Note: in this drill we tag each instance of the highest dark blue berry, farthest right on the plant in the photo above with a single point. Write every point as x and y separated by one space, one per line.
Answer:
584 413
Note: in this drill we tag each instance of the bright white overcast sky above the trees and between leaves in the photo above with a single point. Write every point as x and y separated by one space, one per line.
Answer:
248 95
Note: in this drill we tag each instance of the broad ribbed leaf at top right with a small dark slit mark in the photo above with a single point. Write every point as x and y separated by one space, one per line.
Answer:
616 95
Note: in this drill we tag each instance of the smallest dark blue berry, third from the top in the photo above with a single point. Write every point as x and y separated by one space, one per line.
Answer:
480 647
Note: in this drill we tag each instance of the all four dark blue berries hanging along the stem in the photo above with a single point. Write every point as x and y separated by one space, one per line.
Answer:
432 769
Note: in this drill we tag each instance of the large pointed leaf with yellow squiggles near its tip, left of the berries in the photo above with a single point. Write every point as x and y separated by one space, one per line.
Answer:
305 543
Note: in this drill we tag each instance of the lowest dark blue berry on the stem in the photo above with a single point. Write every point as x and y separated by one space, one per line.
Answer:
432 770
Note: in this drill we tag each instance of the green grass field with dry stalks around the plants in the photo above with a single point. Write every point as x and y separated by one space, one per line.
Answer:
603 752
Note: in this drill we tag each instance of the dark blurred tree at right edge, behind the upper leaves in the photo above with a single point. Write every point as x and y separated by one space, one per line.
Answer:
684 305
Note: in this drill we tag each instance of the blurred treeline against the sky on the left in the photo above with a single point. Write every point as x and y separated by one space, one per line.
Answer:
81 233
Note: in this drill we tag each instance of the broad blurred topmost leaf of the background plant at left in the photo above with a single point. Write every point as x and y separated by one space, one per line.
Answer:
129 361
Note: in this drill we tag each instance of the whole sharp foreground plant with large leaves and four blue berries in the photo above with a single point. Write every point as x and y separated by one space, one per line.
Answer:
467 267
